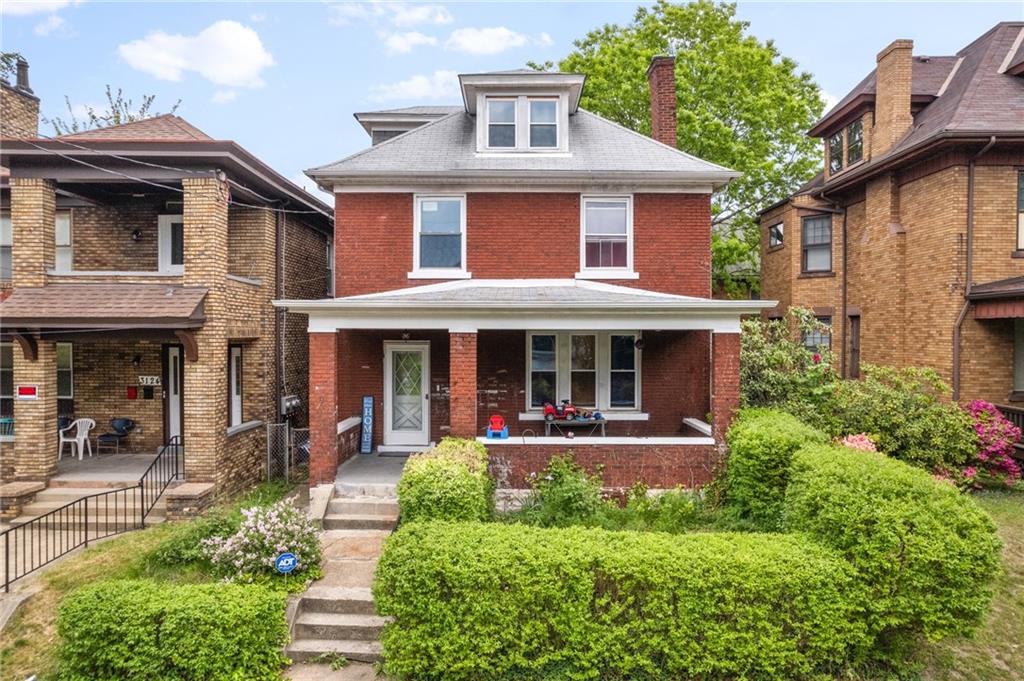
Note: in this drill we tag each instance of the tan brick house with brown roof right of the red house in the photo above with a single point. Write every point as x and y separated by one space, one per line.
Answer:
911 243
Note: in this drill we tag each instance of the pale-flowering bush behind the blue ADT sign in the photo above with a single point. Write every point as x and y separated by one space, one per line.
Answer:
266 533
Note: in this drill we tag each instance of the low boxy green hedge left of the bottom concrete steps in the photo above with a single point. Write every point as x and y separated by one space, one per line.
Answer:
143 630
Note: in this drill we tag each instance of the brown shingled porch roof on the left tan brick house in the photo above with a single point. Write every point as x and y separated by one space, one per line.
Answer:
104 307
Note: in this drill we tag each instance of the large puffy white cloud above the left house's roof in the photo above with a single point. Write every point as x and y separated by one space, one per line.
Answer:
226 54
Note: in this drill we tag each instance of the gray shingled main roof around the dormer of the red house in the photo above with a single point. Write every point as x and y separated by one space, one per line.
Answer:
448 147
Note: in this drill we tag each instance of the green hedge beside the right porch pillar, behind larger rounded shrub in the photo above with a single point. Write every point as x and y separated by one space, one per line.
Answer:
761 447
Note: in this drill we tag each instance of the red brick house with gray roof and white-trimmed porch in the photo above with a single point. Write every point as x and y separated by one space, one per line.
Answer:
519 250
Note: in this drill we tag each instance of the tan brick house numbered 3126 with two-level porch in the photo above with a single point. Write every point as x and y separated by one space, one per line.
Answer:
138 268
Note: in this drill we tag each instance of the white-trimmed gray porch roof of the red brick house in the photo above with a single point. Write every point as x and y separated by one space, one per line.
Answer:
474 305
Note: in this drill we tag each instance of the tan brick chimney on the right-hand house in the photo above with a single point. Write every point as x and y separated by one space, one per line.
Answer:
892 96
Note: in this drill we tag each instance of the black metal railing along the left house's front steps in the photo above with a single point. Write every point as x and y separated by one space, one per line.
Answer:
47 538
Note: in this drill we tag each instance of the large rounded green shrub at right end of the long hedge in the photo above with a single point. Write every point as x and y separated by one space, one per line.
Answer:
925 554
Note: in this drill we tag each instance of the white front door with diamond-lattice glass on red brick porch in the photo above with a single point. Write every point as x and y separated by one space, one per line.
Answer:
407 394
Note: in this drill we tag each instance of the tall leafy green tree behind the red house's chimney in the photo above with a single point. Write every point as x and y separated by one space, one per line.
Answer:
741 104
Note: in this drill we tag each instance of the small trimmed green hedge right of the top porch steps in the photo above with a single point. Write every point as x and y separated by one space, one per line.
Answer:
449 483
